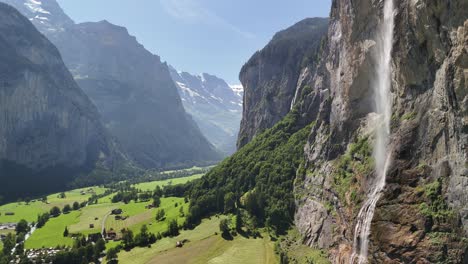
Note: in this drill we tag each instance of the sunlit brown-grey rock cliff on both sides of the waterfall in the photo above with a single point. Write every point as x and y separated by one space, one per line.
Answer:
421 217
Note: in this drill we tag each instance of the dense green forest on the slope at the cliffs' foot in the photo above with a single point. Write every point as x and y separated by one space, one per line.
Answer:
259 178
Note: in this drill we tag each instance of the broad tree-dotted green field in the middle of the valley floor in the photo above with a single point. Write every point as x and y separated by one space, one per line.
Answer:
51 235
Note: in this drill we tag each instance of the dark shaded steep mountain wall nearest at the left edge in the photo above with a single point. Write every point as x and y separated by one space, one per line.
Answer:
50 131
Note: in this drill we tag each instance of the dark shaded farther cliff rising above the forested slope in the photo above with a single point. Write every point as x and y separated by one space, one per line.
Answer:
270 78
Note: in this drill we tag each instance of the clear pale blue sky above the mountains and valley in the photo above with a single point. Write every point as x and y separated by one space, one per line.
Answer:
213 36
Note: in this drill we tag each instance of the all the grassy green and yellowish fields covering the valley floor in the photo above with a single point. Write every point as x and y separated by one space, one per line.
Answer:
203 244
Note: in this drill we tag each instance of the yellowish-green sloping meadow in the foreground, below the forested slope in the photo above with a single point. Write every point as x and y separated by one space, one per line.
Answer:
204 247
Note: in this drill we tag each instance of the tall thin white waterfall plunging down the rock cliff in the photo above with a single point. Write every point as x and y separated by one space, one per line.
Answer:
383 107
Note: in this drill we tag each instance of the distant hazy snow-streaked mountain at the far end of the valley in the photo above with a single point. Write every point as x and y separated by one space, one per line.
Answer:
214 105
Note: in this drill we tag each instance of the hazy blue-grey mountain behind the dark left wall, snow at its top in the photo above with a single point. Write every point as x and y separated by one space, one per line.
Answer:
131 88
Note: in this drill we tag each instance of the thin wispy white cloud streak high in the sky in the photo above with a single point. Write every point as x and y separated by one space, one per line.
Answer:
192 11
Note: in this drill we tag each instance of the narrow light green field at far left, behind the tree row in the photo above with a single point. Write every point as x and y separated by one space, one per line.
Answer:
29 212
